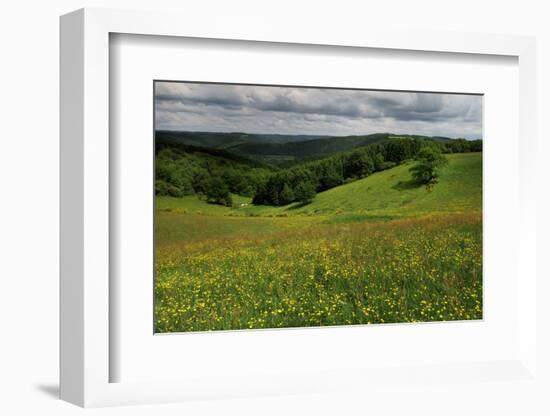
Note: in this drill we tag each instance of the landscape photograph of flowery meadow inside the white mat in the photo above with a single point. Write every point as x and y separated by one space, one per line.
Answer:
295 206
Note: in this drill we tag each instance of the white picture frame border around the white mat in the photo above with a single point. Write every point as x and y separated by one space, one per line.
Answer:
85 220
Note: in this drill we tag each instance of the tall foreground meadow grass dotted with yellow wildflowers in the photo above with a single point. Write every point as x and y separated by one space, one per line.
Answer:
294 272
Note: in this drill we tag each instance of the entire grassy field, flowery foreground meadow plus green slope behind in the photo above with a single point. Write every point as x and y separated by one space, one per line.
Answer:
375 250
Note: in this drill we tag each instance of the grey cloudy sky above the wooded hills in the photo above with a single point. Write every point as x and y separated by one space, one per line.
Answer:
290 110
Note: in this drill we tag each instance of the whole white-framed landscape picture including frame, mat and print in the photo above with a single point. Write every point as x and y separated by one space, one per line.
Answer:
278 213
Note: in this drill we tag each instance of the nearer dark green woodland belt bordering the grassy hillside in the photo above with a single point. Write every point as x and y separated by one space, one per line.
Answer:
215 174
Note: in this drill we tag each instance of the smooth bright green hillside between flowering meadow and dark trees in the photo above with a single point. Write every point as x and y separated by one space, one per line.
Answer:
383 195
